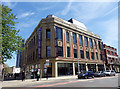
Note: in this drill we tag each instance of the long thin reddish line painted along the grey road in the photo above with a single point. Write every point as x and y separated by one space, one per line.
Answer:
73 81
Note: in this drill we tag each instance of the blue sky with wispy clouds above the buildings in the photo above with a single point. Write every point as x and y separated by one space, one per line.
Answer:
99 17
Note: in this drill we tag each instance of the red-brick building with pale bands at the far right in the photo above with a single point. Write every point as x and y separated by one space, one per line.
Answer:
111 57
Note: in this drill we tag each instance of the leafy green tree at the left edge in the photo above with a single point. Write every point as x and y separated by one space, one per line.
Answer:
11 41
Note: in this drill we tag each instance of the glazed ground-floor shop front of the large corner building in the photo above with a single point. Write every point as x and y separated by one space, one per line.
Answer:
64 68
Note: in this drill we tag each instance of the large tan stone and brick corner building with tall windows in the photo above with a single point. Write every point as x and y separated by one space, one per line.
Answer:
65 44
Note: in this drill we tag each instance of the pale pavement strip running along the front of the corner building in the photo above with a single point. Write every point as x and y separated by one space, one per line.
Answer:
14 83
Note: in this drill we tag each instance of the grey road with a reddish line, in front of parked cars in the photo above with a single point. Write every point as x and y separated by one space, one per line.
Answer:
109 81
